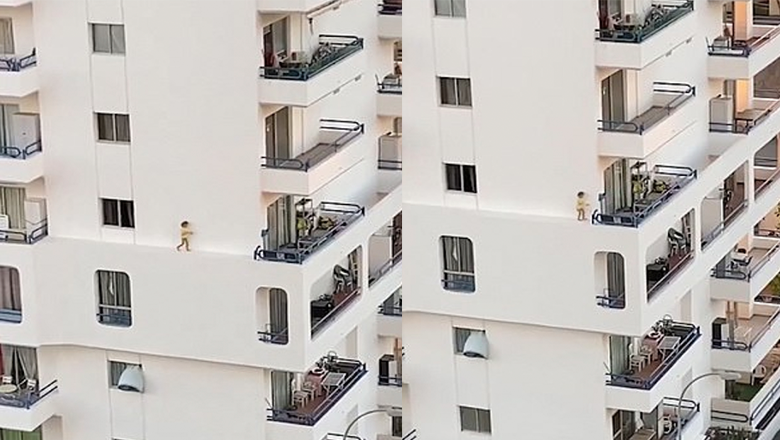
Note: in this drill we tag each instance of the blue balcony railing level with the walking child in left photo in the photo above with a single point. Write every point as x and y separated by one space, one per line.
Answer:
342 215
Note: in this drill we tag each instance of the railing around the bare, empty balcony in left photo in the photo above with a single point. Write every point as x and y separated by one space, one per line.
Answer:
338 133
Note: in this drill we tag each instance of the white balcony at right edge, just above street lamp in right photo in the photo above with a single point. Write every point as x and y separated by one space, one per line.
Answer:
753 337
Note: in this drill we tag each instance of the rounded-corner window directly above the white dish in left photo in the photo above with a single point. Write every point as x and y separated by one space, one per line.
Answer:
114 307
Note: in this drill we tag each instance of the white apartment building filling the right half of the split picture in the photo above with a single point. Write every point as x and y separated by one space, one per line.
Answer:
521 320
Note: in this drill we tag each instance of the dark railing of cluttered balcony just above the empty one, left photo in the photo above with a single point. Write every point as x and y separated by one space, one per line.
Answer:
331 50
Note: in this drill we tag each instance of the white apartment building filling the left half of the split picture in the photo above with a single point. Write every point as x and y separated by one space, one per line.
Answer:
268 127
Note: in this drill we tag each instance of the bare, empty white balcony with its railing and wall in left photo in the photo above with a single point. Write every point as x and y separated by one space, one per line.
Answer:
331 156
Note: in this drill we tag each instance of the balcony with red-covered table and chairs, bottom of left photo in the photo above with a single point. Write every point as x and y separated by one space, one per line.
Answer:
323 387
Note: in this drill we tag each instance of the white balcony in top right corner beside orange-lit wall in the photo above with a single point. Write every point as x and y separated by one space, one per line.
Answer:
743 59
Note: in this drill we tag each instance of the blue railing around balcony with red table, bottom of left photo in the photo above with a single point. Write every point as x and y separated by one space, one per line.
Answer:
310 413
